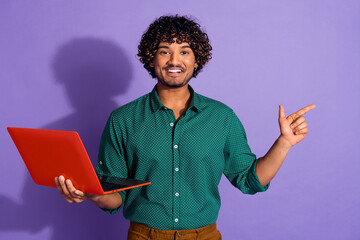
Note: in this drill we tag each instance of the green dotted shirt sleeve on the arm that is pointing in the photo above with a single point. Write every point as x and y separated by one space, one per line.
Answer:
240 162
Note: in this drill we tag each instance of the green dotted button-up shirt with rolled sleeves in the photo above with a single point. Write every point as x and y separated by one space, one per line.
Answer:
184 160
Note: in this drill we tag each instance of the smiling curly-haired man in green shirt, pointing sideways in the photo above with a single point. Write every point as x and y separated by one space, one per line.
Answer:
180 141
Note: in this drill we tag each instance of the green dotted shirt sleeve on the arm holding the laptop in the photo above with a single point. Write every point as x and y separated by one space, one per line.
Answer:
111 159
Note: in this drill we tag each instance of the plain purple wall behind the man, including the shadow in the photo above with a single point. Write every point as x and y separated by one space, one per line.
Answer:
67 64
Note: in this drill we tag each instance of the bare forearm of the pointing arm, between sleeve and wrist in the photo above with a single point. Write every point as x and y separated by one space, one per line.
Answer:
269 165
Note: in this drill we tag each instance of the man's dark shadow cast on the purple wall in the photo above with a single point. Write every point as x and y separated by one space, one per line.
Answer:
92 72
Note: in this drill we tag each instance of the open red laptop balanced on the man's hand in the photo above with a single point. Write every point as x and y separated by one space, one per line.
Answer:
50 153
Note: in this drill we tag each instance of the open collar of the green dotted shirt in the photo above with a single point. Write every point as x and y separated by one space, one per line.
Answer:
156 104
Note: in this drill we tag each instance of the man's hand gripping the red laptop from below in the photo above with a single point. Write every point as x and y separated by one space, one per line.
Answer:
70 193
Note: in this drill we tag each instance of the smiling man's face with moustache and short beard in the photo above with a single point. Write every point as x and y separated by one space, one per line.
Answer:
174 64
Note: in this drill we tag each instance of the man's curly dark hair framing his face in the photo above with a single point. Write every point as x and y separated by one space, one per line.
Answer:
165 29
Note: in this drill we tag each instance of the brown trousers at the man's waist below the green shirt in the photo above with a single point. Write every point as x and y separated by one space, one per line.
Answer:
138 231
